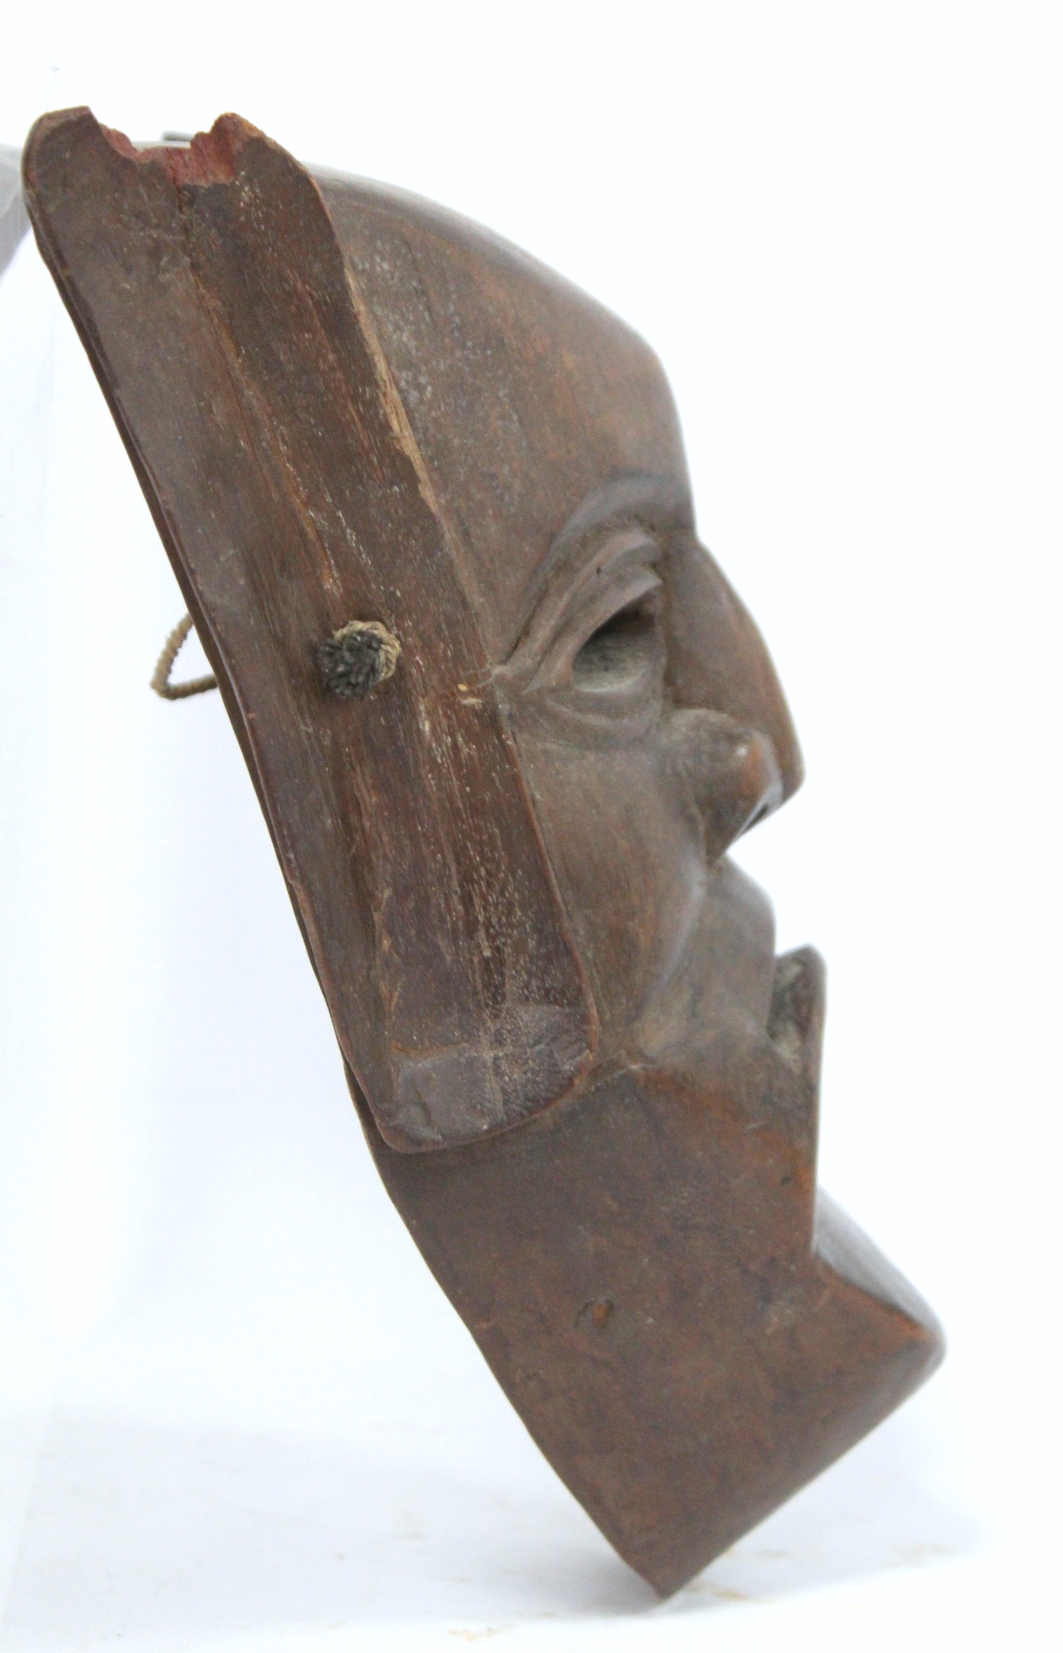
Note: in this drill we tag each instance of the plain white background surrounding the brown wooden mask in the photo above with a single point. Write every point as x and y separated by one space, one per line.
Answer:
236 1409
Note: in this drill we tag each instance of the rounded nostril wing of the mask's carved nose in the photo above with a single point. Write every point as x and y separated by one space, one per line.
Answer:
730 771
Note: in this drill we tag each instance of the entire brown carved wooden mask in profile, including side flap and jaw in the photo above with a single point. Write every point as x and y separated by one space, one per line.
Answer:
589 1084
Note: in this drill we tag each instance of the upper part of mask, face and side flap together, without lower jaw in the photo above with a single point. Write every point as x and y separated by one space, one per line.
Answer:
350 407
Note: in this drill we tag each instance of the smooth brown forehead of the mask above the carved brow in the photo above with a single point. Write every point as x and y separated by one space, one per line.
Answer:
523 394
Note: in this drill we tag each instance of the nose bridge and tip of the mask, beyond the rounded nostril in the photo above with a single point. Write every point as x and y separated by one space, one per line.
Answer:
718 660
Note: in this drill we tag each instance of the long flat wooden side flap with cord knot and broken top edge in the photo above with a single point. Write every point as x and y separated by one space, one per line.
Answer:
272 444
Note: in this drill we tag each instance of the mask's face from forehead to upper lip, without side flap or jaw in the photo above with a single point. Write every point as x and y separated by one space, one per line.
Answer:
649 720
